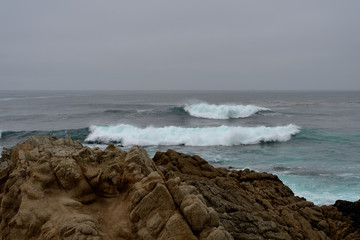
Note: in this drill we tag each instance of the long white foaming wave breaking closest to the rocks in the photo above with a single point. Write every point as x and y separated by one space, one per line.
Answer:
207 136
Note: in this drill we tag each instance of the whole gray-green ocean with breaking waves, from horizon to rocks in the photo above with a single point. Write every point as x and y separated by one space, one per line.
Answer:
311 140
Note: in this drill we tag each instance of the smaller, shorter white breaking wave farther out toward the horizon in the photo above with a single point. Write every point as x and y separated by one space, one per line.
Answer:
212 111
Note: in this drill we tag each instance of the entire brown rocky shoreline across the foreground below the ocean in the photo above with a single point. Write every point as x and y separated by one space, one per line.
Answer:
59 189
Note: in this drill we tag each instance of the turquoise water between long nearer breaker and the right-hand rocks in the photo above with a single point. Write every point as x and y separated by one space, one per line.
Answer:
320 166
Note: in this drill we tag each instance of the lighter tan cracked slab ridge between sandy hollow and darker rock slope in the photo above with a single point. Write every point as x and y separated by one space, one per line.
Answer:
153 210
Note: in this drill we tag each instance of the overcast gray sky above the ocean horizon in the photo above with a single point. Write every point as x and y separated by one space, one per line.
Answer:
201 44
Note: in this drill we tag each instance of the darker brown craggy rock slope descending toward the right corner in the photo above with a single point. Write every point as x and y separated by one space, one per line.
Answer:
253 205
